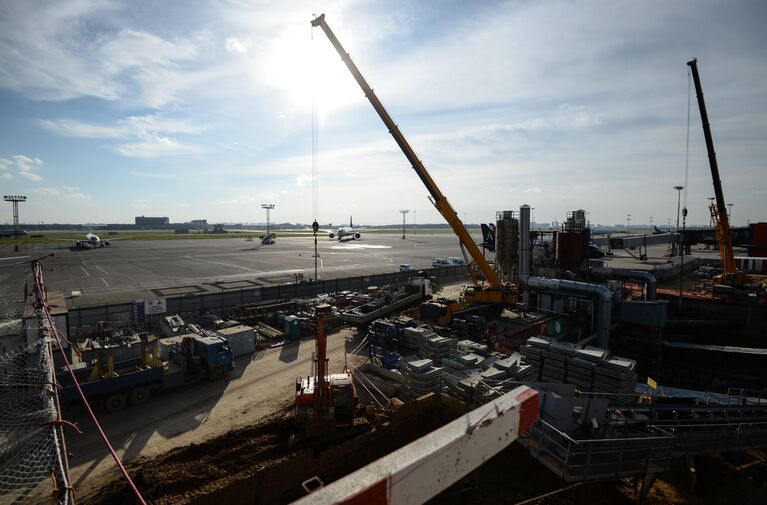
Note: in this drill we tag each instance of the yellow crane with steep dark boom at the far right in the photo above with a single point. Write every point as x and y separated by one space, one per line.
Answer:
731 275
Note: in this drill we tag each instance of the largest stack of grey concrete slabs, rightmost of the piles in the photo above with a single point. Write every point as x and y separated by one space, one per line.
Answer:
590 368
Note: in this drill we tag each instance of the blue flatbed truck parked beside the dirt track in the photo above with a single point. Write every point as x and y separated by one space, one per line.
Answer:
134 381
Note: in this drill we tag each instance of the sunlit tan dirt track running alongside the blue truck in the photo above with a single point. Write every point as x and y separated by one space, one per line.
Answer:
191 416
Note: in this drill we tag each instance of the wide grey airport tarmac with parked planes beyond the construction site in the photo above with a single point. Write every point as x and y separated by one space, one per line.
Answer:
129 270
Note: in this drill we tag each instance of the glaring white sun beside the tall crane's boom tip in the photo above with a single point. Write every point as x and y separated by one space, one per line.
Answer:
308 70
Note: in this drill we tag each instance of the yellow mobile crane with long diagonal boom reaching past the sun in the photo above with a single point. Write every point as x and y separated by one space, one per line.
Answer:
494 291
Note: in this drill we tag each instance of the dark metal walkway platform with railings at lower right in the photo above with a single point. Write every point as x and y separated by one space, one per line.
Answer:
643 439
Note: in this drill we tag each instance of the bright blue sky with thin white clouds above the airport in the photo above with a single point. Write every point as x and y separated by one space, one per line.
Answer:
204 110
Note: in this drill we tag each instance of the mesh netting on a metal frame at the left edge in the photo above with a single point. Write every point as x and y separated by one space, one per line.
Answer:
32 465
